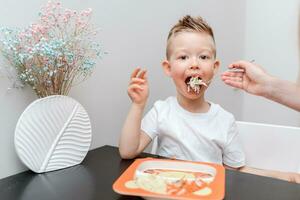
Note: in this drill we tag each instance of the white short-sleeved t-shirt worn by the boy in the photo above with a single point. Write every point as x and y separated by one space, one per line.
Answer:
207 137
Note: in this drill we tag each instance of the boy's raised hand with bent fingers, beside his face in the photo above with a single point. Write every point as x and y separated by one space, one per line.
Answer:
138 89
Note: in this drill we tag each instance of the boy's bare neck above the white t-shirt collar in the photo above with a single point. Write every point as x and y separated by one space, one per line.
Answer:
193 105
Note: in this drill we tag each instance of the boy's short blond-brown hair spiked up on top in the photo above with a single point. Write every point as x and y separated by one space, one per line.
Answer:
190 24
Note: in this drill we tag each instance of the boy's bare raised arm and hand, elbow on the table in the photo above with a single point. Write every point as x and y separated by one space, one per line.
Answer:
132 140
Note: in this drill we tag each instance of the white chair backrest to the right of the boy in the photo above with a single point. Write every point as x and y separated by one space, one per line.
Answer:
269 146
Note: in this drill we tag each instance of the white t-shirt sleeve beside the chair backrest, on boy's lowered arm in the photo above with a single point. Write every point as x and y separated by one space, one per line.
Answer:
233 153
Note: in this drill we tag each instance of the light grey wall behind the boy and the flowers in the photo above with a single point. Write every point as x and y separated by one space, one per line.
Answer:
134 36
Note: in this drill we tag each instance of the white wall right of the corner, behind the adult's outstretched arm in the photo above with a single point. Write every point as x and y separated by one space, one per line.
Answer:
272 39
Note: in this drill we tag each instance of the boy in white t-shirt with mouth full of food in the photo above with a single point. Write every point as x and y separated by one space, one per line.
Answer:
187 126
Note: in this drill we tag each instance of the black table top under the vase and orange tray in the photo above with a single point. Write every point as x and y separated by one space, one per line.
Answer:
93 179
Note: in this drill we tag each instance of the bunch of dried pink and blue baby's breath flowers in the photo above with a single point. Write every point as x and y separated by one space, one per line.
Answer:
55 47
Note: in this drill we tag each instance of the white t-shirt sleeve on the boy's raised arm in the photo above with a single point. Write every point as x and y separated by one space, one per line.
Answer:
149 122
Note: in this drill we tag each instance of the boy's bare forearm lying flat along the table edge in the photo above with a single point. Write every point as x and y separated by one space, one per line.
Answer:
287 176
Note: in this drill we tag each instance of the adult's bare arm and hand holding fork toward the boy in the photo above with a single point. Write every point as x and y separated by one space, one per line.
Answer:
255 80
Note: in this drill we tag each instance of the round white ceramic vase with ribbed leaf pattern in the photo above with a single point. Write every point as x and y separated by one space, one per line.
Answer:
53 133
